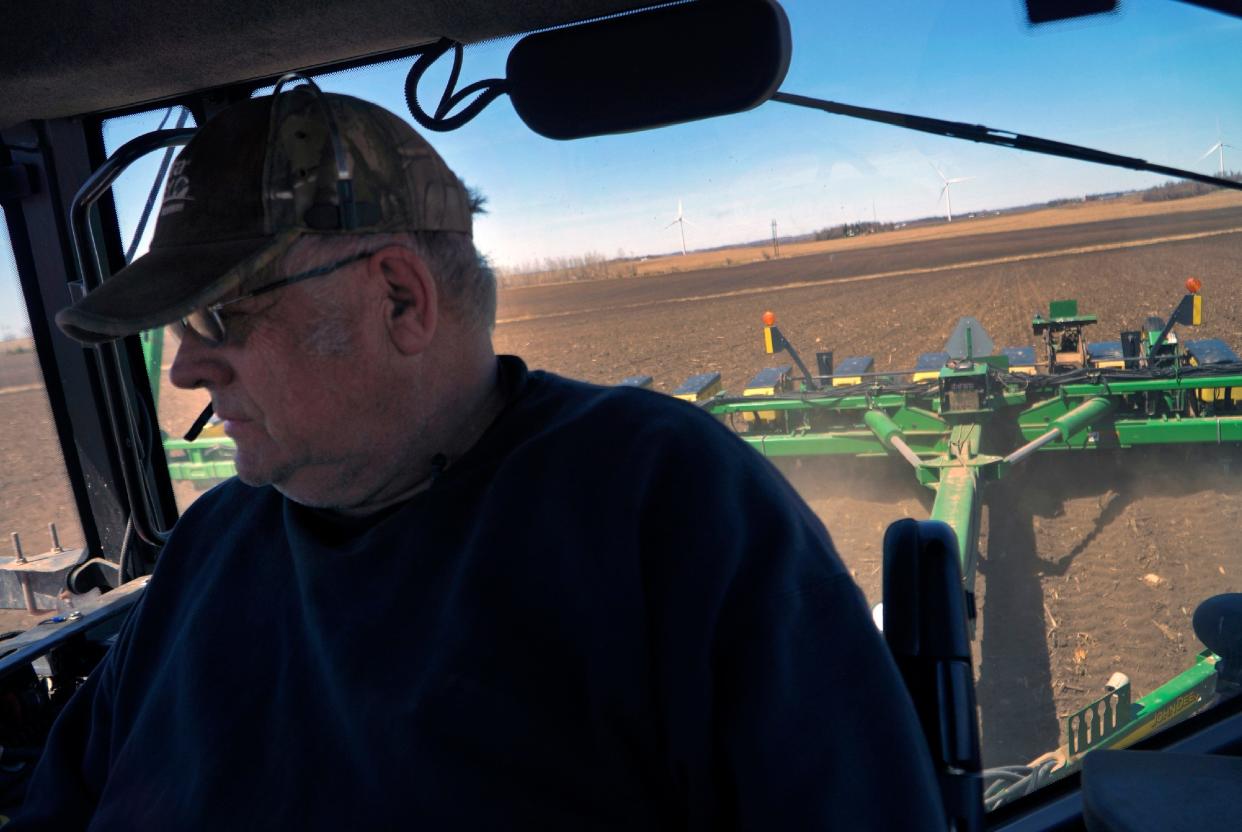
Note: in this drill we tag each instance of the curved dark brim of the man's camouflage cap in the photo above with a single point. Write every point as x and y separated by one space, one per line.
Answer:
166 285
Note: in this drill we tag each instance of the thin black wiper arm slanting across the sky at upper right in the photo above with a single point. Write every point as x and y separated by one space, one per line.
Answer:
1003 138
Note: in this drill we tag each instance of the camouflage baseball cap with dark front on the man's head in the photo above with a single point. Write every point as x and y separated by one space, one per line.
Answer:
250 183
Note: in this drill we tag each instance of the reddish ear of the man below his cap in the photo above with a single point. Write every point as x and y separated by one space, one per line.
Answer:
410 304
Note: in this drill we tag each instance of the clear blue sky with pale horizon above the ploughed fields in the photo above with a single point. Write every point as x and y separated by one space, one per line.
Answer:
1152 83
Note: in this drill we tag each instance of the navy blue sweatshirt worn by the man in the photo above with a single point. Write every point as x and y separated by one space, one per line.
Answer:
610 614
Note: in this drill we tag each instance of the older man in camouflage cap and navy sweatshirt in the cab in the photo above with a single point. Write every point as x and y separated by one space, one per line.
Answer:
446 592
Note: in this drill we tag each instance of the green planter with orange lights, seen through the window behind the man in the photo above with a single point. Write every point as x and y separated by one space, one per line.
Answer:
956 419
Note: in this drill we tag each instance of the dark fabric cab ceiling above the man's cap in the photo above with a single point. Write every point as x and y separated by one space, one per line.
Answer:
84 57
